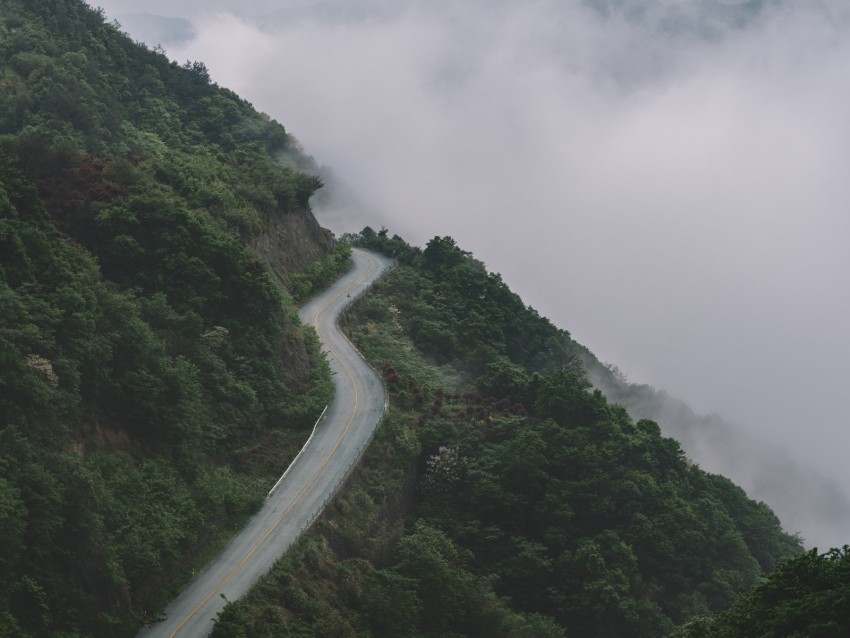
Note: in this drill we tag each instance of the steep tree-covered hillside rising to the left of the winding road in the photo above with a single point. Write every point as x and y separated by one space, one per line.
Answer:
153 372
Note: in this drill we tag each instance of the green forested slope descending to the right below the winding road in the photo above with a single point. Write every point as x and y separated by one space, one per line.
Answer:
503 496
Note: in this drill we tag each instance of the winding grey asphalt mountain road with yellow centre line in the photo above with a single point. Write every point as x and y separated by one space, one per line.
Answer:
340 437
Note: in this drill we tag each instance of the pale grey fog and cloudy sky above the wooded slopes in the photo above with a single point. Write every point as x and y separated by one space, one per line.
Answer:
665 179
